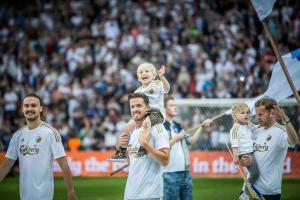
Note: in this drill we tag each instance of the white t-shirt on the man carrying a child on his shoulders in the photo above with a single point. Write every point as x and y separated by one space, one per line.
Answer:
145 174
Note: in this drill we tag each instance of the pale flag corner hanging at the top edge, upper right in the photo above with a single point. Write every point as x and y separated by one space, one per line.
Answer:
263 7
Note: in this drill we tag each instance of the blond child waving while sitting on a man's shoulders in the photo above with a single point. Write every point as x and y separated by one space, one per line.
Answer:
154 90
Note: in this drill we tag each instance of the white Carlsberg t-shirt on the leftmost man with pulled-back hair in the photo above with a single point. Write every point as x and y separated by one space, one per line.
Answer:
36 149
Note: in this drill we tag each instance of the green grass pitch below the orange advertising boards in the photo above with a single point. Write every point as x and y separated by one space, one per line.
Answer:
111 188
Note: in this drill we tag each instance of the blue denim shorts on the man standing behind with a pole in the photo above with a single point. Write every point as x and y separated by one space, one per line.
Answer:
178 185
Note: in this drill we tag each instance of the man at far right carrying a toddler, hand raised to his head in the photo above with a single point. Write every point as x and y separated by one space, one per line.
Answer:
271 142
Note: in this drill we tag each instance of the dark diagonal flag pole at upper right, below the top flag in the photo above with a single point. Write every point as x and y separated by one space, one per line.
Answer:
282 64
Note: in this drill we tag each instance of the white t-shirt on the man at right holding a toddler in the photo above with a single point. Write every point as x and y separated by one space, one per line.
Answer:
270 147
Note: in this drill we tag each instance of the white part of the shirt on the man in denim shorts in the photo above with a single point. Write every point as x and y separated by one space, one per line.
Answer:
176 160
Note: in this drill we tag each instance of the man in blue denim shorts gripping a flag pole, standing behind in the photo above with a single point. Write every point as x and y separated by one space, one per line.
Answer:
177 177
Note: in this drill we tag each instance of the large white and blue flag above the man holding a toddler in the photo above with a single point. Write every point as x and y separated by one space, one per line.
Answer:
279 88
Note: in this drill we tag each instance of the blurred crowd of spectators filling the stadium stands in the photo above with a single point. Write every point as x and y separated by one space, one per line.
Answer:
81 57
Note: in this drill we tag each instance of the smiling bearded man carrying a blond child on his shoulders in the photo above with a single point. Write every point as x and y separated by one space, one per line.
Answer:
145 171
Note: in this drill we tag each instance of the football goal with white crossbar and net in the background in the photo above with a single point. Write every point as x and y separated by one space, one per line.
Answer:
192 112
